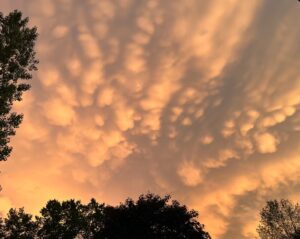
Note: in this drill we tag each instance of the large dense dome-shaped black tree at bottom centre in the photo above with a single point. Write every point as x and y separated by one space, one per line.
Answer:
152 217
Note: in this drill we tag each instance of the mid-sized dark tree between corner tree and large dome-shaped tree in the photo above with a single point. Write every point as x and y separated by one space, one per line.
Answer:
71 219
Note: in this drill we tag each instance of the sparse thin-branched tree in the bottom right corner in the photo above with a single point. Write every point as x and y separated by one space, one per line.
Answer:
280 220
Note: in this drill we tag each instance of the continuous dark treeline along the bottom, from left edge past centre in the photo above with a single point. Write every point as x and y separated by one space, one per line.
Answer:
150 217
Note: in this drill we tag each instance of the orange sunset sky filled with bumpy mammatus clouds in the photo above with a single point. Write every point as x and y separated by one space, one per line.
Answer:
193 98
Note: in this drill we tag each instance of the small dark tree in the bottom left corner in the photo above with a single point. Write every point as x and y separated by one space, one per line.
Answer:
18 225
